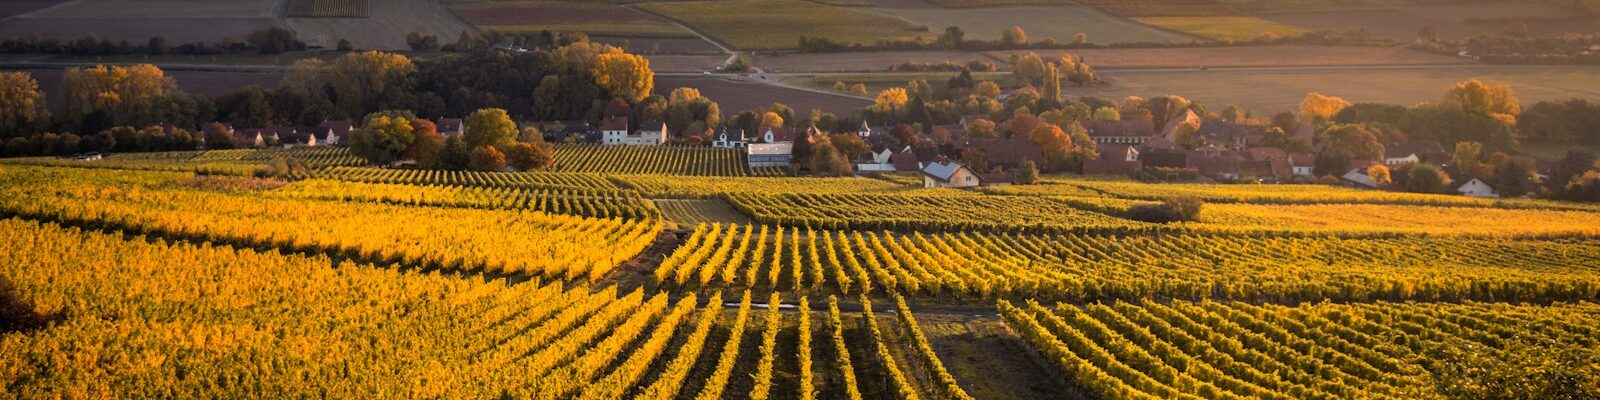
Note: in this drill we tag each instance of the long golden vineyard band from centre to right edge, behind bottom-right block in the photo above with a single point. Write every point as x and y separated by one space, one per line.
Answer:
1089 268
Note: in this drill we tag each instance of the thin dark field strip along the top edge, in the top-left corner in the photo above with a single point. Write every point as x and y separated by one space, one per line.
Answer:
158 9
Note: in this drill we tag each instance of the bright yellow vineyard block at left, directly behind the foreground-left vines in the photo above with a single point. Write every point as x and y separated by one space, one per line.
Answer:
492 241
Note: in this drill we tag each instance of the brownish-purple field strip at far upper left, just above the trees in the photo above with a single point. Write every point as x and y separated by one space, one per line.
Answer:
137 30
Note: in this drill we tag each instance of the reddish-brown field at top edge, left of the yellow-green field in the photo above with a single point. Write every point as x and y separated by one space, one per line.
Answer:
590 18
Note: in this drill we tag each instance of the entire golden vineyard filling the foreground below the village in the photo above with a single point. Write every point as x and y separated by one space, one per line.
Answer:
681 273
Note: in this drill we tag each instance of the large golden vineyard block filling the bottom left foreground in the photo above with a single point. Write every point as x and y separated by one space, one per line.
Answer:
201 321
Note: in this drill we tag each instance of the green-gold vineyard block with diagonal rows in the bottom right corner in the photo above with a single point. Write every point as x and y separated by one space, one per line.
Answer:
1151 350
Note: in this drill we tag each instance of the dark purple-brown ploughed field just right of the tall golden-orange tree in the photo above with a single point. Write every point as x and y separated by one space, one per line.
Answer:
737 97
